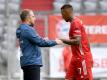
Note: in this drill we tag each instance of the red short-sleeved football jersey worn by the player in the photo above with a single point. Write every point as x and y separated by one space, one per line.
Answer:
83 50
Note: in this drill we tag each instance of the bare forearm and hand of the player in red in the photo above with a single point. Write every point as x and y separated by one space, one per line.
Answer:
74 41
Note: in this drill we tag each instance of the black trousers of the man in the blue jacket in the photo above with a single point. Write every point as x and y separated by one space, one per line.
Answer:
31 72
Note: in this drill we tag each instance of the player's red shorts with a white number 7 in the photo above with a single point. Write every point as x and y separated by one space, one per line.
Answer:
79 70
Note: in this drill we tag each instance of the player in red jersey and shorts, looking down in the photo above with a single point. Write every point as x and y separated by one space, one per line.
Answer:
82 61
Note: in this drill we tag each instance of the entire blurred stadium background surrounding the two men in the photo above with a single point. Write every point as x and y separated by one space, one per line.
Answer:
49 23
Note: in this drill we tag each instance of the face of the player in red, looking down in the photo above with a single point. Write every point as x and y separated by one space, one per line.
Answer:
66 14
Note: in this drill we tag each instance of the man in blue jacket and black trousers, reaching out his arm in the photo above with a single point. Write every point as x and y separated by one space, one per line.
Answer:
30 41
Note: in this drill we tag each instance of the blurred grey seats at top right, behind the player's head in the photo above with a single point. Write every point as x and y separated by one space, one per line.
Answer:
83 6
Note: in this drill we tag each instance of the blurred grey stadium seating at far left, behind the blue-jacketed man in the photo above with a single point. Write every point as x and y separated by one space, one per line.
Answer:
8 21
